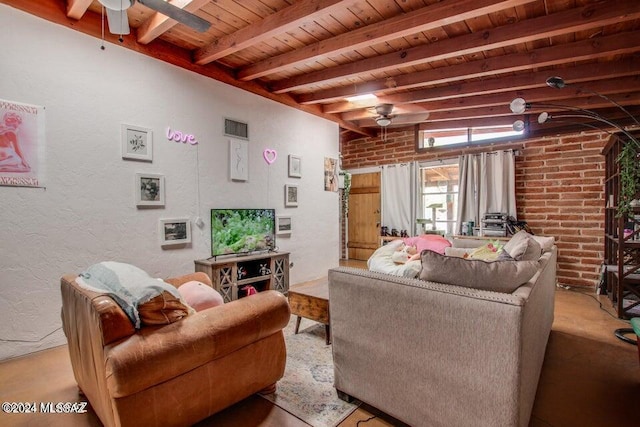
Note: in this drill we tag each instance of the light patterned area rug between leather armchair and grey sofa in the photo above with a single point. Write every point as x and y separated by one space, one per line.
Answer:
306 390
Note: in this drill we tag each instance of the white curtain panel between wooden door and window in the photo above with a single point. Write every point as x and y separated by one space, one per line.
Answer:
399 197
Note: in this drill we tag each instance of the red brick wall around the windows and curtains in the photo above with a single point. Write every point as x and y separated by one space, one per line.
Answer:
559 190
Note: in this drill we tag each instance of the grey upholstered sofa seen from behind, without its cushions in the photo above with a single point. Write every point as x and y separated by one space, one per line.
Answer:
436 354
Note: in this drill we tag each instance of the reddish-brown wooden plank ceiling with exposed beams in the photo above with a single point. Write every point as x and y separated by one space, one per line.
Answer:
440 64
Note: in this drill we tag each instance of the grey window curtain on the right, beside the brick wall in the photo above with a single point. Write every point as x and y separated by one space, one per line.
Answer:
487 184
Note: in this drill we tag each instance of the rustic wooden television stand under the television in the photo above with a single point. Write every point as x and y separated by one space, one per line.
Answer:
232 276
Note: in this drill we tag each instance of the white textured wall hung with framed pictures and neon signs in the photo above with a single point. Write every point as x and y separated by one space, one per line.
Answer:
87 213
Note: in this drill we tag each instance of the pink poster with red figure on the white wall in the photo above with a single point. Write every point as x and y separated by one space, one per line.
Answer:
21 144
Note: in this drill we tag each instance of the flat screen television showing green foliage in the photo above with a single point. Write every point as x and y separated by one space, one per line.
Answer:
242 231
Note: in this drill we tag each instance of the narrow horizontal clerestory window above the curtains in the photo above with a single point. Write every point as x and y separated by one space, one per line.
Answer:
444 137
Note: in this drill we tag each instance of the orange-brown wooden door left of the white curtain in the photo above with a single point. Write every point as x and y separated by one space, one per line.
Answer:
364 215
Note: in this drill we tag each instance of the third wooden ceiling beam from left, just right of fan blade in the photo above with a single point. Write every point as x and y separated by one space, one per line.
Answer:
280 22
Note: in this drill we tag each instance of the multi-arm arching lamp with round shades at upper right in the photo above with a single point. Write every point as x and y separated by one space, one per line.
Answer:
519 106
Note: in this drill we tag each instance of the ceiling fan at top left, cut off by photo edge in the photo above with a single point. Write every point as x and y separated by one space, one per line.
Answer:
119 21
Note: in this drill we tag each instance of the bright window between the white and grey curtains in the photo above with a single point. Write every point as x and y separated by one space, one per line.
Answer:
439 197
